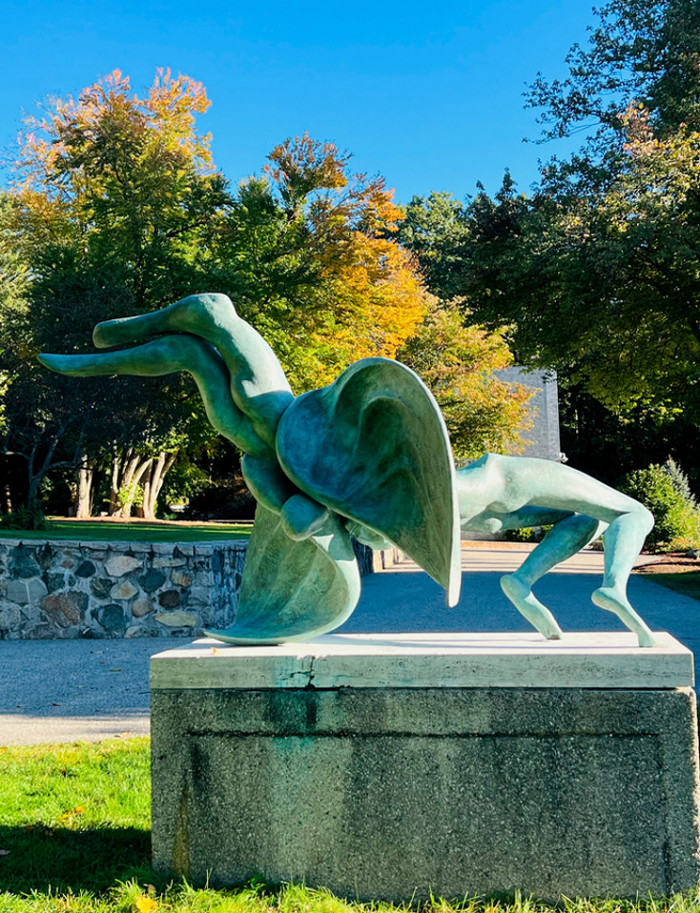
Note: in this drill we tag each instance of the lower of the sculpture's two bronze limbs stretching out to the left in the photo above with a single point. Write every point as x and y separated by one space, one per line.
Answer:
165 356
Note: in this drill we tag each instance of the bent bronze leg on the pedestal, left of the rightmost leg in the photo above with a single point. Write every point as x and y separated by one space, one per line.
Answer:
567 536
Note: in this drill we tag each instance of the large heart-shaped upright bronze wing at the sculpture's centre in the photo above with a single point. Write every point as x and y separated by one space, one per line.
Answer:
373 447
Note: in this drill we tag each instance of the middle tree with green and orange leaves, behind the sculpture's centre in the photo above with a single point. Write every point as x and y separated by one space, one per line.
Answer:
313 262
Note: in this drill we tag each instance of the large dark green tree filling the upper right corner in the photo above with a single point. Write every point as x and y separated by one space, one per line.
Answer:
595 273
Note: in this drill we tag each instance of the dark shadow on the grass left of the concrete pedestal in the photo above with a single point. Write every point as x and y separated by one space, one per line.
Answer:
61 859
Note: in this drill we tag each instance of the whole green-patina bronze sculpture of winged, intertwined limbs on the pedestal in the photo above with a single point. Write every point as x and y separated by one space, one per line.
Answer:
369 455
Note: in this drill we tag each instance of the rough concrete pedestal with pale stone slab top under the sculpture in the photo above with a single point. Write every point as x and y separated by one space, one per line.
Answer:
393 766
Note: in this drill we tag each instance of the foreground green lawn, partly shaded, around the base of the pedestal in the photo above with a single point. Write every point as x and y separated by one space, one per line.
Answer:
74 838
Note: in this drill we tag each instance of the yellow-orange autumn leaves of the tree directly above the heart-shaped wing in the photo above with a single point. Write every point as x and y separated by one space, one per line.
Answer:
369 297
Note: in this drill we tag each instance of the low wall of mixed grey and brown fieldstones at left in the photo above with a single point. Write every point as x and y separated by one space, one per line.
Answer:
61 588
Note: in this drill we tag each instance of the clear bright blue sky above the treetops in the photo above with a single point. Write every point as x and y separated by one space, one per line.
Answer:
427 94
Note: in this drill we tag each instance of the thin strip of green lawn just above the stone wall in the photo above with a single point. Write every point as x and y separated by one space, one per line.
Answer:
132 531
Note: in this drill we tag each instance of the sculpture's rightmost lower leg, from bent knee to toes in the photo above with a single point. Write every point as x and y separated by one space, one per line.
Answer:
623 541
